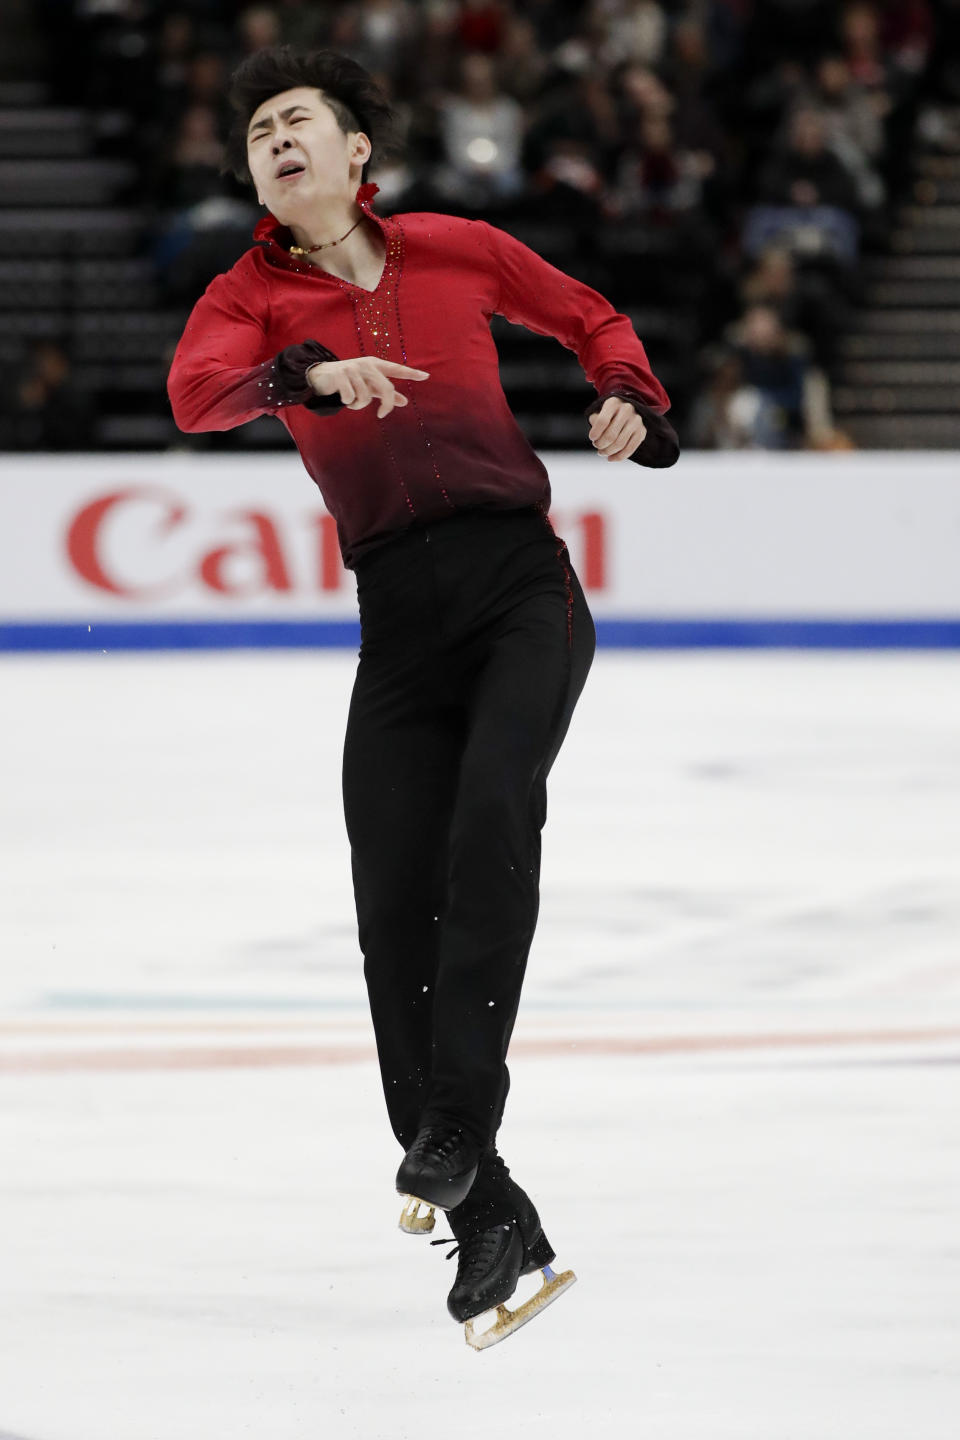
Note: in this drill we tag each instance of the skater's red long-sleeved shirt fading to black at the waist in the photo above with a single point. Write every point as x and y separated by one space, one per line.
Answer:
456 444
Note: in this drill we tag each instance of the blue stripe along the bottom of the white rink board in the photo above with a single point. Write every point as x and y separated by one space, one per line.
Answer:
687 634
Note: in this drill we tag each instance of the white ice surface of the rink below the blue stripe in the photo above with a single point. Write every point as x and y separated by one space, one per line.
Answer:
735 1071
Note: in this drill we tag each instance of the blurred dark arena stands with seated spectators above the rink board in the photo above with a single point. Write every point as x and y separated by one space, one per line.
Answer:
769 191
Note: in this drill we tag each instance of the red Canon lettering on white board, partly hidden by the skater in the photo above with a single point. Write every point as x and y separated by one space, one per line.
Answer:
148 544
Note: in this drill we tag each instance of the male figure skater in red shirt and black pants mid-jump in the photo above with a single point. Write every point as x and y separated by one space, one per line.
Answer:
371 341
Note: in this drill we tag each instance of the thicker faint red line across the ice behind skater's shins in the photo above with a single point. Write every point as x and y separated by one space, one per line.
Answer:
267 1056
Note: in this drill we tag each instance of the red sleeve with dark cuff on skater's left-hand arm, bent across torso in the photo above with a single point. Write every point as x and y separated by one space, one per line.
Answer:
219 378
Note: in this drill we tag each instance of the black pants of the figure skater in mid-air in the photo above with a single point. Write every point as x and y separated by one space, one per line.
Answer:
477 643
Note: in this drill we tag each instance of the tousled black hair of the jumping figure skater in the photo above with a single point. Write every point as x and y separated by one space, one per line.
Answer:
350 91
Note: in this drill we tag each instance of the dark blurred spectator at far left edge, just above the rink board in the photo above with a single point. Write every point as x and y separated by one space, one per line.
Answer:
42 408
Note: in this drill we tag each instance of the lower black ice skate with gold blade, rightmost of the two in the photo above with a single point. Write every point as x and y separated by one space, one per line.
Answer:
496 1248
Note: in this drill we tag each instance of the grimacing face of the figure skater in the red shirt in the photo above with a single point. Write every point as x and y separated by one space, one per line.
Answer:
299 129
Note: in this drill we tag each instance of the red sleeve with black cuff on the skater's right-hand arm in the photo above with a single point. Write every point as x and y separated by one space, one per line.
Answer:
551 303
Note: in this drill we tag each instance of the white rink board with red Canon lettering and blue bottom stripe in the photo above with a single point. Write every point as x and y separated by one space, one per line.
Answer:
201 552
